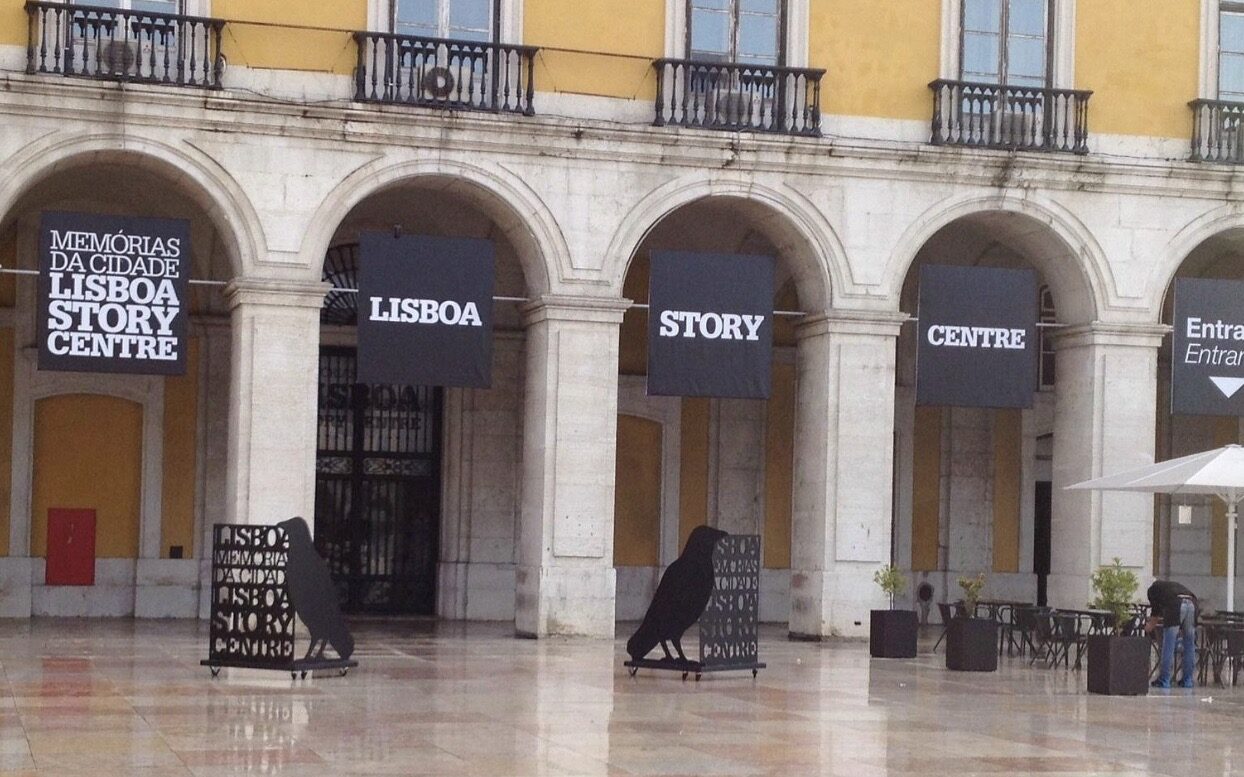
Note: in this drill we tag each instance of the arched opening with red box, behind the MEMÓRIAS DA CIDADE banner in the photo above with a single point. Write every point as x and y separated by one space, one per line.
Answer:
147 454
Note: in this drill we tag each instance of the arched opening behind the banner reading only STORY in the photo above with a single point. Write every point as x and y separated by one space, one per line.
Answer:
697 461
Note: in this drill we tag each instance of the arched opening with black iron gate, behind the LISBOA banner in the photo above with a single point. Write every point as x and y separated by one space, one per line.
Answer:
417 488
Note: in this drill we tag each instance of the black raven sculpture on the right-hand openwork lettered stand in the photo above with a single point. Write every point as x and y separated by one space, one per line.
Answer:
681 597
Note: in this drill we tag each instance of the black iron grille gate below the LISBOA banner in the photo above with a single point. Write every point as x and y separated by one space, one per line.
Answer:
378 489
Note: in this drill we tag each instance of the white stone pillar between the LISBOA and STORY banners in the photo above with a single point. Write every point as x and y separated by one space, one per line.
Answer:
565 580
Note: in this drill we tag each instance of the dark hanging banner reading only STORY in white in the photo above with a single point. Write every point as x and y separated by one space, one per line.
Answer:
711 325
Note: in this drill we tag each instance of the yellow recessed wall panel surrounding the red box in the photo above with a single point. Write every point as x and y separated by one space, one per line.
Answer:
89 454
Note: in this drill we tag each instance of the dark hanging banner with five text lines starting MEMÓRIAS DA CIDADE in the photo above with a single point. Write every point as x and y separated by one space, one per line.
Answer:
113 294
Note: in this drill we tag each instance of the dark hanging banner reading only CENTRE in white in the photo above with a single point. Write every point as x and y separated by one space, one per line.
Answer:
977 338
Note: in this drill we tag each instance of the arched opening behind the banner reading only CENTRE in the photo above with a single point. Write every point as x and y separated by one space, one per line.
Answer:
973 485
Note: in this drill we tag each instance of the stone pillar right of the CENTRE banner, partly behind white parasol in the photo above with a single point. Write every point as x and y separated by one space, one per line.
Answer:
1104 423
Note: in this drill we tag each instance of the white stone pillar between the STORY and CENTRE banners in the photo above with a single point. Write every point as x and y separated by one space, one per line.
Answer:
844 472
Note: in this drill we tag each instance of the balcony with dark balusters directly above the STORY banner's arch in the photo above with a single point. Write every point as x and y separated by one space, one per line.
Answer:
740 98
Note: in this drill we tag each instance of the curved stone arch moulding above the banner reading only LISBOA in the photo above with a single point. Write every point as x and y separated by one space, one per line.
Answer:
518 211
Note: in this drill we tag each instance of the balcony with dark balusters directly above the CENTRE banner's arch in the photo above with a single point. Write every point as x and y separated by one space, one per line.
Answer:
1011 117
